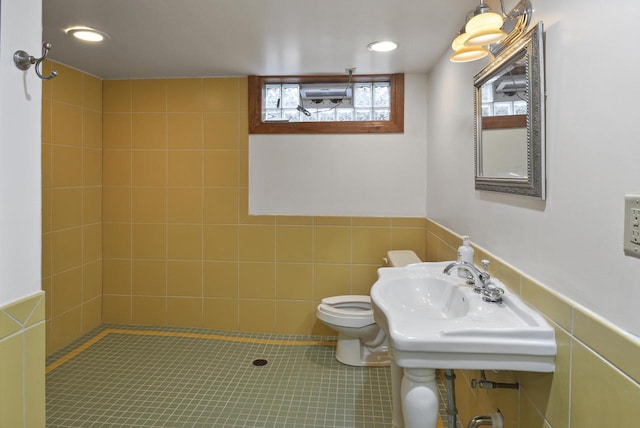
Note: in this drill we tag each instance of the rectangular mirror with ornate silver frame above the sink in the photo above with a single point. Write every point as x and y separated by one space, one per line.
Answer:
509 119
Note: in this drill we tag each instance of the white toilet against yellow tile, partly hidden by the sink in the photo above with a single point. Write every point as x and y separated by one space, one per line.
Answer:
360 341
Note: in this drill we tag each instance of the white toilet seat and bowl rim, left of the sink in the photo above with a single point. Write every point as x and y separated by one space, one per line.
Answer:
348 311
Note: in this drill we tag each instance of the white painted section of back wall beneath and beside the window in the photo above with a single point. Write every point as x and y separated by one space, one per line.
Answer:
344 175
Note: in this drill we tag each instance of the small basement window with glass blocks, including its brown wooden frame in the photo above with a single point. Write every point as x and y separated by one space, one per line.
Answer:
326 104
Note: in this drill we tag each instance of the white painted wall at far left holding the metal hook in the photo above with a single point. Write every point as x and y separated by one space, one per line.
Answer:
20 109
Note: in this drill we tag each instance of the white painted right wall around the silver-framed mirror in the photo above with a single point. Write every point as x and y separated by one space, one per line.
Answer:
573 241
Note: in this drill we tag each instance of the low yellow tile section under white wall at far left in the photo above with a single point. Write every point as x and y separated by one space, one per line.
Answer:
22 357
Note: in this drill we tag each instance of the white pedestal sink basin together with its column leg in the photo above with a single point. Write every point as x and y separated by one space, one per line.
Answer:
436 321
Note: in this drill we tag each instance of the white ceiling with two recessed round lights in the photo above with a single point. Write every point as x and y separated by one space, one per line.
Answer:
190 38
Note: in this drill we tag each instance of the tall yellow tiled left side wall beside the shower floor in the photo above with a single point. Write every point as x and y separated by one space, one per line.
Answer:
71 204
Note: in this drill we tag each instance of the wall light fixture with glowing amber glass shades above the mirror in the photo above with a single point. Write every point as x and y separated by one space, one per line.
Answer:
486 31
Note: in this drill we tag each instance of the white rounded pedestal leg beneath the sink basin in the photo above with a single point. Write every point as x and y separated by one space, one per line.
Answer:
414 397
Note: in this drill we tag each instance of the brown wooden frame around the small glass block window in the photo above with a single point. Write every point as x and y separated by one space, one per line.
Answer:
394 125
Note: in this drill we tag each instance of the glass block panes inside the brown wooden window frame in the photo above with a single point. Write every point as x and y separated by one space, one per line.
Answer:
371 101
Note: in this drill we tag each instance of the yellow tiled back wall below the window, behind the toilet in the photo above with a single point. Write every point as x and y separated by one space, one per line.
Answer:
179 246
